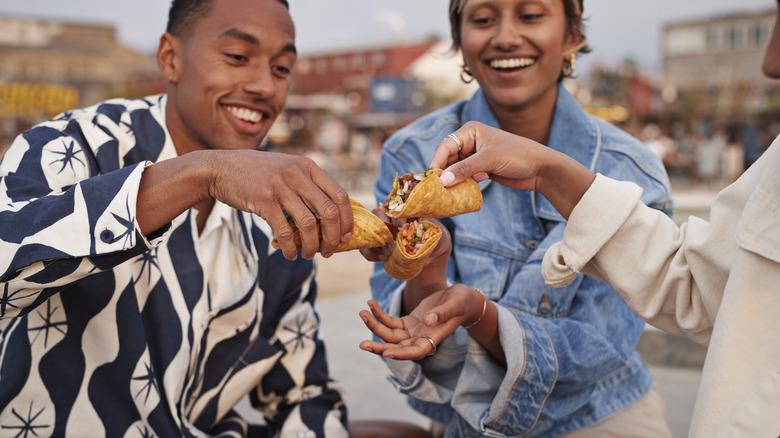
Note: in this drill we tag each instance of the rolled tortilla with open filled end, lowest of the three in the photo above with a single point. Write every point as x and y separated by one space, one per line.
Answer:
413 245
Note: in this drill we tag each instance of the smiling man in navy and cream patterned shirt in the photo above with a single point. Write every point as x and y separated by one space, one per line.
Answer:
139 295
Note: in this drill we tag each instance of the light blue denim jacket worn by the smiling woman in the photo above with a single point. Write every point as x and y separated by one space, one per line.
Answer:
570 352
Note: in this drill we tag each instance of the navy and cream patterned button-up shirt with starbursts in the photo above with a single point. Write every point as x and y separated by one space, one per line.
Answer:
107 332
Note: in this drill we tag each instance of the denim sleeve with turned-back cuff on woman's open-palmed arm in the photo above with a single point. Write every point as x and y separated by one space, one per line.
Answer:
558 352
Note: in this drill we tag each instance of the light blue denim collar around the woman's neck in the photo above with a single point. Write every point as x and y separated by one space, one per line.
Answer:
572 133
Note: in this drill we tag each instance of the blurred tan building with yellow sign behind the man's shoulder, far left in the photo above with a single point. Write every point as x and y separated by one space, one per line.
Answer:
47 67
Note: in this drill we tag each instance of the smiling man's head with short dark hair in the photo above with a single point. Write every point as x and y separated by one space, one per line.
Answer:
232 74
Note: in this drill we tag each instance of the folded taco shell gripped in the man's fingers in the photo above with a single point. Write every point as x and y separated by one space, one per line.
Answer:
368 231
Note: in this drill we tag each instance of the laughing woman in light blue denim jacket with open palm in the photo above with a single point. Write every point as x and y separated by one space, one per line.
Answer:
534 362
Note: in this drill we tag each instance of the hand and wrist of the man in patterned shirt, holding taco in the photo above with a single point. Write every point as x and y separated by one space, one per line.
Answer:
264 183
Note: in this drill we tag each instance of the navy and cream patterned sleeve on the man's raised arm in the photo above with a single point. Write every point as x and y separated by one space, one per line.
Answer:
63 217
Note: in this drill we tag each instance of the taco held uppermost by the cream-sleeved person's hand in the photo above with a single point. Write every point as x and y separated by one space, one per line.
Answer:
429 198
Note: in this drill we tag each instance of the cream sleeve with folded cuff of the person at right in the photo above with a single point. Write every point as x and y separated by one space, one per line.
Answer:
664 285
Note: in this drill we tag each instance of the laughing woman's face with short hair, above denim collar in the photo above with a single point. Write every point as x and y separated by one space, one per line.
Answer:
515 48
